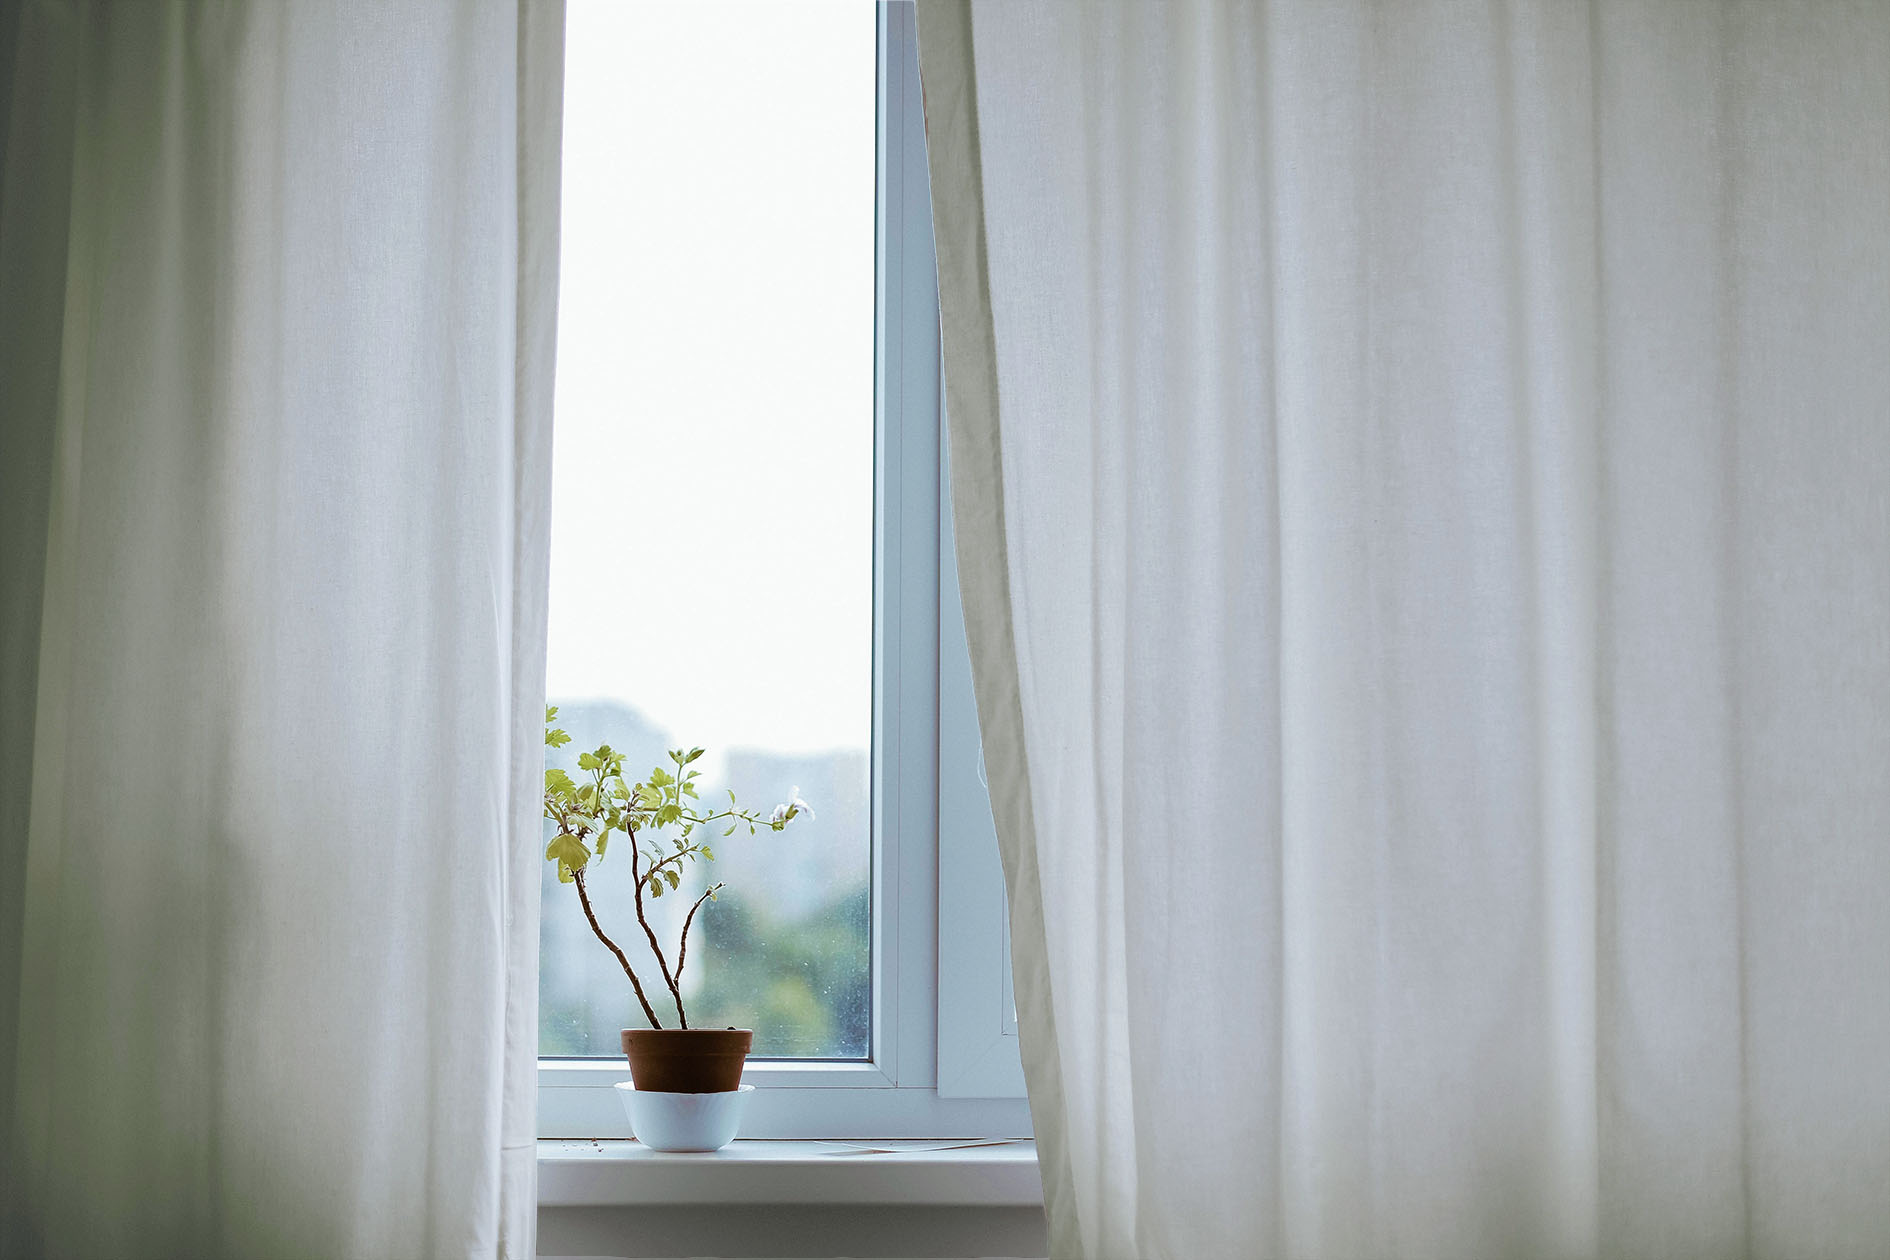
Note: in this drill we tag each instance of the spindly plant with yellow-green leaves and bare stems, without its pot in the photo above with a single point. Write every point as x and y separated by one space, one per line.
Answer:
602 802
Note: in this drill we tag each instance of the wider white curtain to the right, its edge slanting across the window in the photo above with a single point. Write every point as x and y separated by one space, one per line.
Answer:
1422 488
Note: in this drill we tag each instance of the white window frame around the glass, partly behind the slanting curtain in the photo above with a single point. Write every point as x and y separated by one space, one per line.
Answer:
944 1053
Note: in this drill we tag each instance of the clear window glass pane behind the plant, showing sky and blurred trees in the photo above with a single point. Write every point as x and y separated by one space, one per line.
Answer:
713 498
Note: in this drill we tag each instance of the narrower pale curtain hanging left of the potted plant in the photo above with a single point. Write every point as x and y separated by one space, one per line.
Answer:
279 298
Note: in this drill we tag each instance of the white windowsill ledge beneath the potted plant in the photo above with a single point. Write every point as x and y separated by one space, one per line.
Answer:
935 1174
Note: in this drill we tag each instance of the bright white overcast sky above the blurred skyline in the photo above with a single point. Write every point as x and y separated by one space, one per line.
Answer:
713 464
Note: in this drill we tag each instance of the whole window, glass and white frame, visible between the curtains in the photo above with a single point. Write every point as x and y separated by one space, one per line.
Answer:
749 364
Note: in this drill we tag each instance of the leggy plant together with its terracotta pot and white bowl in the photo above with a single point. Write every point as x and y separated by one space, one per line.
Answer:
687 1081
